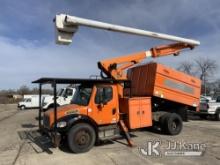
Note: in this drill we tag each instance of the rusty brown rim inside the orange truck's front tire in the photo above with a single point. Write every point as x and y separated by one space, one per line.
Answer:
82 138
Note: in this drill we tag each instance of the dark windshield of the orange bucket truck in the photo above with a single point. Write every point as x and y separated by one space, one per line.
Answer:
82 95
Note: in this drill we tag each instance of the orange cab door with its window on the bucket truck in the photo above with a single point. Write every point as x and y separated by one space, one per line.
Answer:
105 107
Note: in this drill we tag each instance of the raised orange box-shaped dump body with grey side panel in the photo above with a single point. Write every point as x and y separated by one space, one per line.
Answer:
160 81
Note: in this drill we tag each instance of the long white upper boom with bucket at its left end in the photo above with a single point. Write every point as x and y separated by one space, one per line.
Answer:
66 26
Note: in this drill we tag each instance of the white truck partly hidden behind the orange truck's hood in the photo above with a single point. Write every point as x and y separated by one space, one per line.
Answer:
64 96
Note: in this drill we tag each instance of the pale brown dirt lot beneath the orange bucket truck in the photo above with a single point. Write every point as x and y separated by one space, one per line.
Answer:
21 144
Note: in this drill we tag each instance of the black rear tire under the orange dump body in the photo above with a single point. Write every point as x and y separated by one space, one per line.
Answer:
173 124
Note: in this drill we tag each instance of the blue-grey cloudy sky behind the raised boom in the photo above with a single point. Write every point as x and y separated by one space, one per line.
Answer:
28 50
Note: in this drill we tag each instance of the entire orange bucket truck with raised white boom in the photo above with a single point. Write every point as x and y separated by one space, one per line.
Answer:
147 95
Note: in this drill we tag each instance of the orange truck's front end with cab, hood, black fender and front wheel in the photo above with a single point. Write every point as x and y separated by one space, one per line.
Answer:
93 114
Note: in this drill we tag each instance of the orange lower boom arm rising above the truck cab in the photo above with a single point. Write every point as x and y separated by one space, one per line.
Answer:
115 67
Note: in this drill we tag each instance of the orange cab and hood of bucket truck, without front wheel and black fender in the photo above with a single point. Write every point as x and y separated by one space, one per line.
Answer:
98 103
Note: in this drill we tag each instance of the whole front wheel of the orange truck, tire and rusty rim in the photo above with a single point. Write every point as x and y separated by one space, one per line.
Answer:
81 138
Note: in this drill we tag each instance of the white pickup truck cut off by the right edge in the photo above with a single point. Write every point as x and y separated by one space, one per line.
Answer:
209 107
